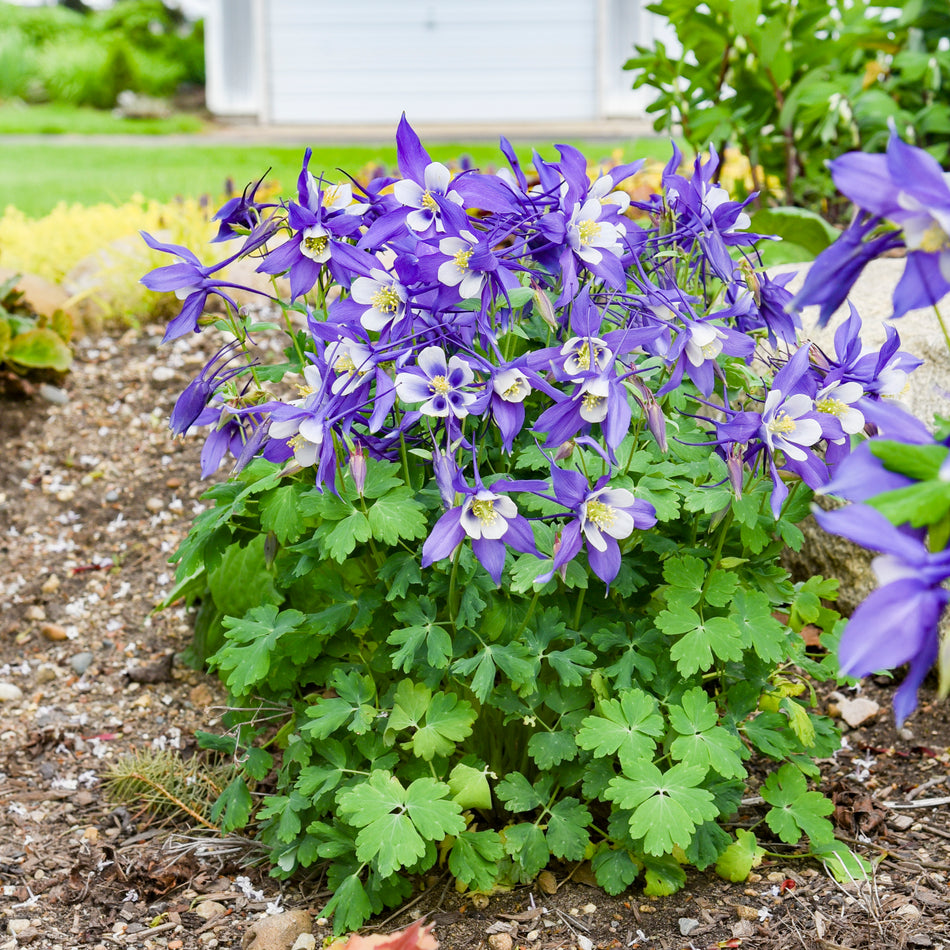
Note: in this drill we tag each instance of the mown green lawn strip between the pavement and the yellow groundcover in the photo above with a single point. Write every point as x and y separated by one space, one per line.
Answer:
35 178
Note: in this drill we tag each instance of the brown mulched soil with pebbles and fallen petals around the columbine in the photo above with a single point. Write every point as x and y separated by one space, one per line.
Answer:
95 494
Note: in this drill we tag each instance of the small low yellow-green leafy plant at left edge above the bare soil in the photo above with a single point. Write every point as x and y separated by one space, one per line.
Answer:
28 342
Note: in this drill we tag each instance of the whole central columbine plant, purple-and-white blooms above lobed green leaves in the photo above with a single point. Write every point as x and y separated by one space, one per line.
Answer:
494 579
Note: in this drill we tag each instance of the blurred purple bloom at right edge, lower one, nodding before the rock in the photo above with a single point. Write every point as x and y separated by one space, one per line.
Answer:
898 623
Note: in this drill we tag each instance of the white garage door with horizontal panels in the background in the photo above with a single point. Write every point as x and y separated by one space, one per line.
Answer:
366 61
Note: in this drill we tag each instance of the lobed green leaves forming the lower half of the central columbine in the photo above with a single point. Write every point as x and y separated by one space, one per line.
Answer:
428 713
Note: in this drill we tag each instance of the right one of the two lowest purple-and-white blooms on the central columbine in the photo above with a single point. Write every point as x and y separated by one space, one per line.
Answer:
602 517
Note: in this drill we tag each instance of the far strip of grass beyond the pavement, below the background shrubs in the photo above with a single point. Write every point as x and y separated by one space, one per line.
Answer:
58 118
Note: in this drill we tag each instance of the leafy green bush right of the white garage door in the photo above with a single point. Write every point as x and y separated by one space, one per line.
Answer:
795 84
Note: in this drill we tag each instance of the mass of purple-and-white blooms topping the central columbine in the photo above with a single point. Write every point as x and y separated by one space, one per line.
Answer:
468 325
